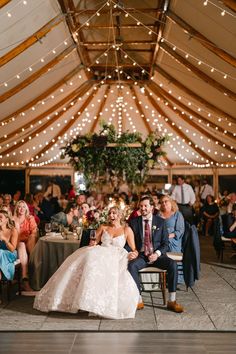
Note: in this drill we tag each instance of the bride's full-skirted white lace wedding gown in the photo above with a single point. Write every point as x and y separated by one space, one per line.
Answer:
93 279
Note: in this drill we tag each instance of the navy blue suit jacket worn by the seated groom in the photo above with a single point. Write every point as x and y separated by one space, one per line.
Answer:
159 233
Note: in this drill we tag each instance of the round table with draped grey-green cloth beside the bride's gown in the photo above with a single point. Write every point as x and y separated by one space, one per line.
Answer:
47 256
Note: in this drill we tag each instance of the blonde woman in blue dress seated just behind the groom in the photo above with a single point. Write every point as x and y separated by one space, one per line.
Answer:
175 227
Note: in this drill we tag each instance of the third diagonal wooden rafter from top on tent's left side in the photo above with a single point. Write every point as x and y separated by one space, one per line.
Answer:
41 128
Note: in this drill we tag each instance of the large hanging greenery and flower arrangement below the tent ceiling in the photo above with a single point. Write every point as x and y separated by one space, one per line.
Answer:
107 154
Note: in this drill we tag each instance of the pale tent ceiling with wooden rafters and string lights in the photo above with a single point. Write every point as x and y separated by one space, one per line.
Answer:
65 64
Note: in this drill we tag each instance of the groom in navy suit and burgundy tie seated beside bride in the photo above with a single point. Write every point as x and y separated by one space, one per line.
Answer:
152 227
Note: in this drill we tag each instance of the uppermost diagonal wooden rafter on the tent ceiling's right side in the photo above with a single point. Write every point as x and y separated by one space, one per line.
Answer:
202 39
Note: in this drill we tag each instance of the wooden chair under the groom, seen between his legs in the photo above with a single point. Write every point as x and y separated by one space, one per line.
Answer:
160 279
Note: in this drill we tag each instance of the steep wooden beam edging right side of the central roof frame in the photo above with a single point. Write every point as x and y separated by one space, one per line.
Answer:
159 30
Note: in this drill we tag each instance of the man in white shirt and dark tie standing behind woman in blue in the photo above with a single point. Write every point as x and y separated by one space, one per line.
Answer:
184 196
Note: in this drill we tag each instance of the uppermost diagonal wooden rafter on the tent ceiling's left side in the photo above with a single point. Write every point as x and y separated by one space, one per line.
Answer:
31 40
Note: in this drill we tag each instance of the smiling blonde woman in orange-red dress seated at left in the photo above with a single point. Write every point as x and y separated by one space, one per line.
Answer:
27 230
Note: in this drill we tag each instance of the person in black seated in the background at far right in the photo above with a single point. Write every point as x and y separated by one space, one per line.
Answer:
210 213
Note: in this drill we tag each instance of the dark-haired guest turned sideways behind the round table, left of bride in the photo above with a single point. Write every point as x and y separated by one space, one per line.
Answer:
69 217
